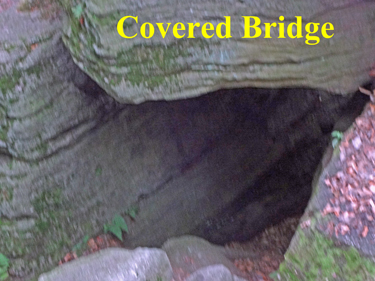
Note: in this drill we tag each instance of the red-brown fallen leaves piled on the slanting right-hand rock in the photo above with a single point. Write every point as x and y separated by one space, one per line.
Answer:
353 187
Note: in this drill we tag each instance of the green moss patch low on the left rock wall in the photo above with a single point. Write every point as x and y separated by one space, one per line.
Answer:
53 231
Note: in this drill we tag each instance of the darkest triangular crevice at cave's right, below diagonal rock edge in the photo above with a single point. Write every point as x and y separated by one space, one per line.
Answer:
285 188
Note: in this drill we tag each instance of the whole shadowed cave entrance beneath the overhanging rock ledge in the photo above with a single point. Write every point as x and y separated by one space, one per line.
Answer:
222 166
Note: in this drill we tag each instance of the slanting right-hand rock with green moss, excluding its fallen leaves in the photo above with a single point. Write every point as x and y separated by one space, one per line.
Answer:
317 251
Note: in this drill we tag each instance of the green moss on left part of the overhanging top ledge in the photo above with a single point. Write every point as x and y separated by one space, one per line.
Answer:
142 65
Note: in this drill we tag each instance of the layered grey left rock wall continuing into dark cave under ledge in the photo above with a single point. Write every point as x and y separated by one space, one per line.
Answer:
72 157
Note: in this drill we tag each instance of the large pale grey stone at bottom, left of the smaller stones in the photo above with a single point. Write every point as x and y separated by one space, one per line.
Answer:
141 264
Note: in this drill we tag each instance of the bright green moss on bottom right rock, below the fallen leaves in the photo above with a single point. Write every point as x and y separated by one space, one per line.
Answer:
317 258
